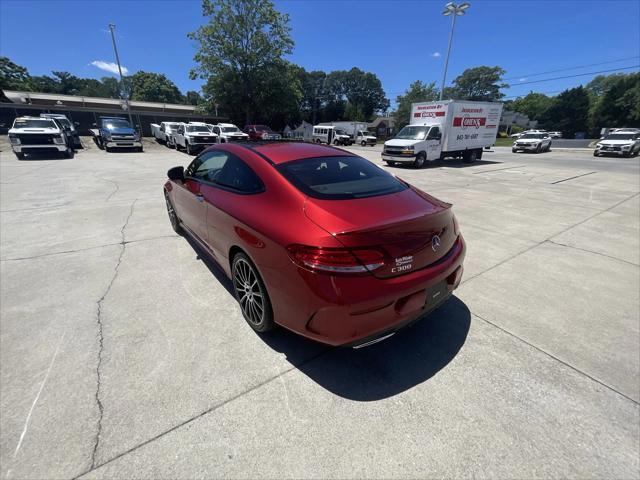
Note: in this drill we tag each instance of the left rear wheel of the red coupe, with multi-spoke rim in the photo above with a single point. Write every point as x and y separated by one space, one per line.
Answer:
251 294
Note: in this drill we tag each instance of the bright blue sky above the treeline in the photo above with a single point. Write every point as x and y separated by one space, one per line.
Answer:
399 40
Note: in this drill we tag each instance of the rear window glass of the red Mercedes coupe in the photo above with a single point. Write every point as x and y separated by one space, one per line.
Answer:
338 178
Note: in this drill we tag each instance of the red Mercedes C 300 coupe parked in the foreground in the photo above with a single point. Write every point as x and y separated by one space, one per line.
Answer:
318 240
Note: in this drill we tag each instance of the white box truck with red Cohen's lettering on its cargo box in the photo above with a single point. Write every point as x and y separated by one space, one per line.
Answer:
449 128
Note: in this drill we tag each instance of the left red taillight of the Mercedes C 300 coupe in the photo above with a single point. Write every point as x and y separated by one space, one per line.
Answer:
337 260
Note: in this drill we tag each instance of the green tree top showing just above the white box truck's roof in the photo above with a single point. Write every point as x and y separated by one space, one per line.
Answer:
478 83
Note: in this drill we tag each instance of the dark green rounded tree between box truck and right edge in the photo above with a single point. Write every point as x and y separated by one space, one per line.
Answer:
569 112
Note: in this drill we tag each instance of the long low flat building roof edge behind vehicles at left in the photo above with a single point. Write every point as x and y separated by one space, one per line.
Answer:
38 98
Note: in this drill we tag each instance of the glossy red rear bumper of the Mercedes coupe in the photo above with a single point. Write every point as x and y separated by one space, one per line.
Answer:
353 311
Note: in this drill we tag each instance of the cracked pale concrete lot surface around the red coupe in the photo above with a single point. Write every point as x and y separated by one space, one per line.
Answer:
123 354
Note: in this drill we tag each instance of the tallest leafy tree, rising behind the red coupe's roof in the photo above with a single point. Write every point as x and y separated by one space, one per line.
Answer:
242 41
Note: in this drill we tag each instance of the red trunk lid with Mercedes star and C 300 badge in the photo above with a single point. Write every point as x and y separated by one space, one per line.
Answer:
414 229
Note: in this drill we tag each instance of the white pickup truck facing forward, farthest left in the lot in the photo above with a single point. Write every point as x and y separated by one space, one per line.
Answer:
39 135
